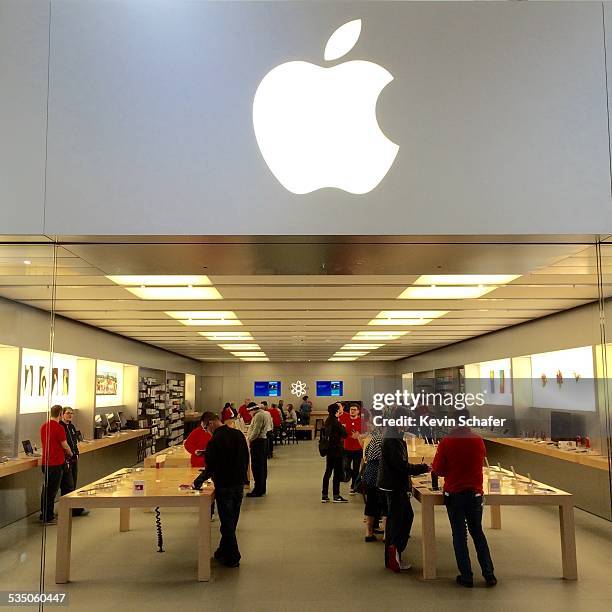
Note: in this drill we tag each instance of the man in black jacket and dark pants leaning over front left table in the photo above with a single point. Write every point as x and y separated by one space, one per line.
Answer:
227 460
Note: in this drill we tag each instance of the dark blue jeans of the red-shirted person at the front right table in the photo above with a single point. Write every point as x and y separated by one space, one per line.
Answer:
465 514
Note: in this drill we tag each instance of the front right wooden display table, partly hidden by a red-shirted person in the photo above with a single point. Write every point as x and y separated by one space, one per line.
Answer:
513 493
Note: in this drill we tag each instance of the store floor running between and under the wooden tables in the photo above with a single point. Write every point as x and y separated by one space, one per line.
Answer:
299 554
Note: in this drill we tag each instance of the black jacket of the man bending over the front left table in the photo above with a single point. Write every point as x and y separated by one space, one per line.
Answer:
227 458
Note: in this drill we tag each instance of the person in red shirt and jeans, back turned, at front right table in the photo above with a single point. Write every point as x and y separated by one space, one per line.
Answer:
459 459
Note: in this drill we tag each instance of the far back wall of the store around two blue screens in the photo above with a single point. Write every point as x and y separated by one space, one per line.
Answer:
229 382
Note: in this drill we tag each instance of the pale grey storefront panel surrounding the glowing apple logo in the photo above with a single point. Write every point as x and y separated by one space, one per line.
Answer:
499 109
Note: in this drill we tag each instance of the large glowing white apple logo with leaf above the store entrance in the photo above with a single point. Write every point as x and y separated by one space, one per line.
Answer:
316 127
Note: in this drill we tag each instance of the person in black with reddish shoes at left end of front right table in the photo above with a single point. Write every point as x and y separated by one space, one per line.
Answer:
394 480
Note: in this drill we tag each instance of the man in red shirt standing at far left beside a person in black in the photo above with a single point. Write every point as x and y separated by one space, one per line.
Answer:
55 449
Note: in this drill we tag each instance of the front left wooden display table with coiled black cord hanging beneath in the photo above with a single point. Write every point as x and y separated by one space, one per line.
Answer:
161 489
